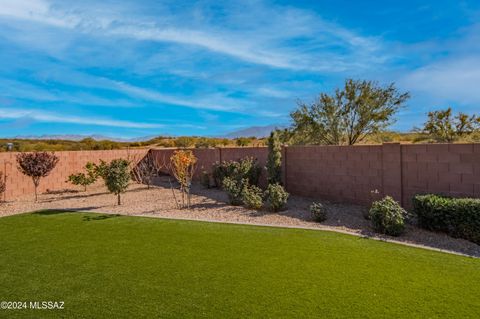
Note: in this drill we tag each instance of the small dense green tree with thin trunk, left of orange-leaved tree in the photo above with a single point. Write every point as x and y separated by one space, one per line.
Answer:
117 177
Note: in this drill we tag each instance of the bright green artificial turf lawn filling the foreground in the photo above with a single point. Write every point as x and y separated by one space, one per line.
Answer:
118 266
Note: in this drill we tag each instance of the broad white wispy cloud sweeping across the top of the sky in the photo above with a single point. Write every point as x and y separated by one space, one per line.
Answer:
264 44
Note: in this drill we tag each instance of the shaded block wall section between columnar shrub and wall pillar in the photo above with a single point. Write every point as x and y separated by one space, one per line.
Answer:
337 173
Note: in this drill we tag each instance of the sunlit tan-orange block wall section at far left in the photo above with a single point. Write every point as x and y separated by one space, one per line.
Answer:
70 162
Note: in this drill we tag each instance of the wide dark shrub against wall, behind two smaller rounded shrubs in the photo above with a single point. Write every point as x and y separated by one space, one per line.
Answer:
246 168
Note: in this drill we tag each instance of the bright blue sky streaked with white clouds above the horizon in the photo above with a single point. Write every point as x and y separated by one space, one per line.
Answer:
137 68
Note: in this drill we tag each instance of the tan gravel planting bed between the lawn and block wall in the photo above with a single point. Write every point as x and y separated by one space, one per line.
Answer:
210 205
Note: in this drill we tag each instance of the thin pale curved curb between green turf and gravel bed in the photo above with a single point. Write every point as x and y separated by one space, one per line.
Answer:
328 229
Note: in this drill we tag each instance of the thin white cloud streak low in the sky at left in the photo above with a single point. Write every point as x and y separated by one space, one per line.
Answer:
44 116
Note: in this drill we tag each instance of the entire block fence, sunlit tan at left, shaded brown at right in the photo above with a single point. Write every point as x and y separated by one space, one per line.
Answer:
337 173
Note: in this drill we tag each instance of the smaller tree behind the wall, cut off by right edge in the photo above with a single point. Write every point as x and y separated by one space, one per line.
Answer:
444 127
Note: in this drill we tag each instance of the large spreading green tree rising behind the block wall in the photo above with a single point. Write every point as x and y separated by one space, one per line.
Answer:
348 115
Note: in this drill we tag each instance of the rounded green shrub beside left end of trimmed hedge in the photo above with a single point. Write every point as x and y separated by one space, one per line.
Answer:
388 217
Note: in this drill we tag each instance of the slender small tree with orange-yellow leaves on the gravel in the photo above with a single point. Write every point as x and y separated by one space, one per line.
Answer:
182 164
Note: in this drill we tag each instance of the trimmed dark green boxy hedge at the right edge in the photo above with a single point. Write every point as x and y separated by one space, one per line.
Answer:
458 217
